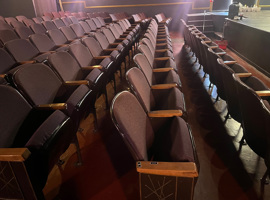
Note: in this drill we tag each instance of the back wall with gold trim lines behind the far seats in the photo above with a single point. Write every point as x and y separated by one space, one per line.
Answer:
176 9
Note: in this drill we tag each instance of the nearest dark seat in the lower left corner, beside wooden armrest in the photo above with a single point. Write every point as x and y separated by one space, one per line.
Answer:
46 135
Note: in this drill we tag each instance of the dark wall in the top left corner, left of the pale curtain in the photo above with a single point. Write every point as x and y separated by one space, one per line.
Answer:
11 8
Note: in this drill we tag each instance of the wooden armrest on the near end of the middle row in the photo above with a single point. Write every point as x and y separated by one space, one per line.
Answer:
180 169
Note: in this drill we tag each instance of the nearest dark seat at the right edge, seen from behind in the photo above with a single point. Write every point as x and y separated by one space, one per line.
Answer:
256 120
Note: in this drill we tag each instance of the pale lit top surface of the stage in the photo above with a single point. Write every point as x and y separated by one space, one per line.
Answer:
259 20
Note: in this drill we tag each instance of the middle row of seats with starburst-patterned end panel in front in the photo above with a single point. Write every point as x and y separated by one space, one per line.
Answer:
154 127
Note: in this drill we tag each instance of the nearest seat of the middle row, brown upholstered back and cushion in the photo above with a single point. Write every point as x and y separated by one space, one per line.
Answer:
174 140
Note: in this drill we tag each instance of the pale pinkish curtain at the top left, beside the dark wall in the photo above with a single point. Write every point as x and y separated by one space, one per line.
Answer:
42 6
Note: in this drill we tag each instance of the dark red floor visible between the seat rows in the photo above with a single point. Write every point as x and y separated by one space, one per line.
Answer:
108 169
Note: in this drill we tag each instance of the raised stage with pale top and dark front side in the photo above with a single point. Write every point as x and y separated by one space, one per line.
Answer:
250 39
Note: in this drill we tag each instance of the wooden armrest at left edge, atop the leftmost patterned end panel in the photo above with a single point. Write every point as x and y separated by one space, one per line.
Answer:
14 154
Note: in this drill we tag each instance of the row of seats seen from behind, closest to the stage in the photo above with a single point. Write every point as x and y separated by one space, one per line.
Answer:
247 97
